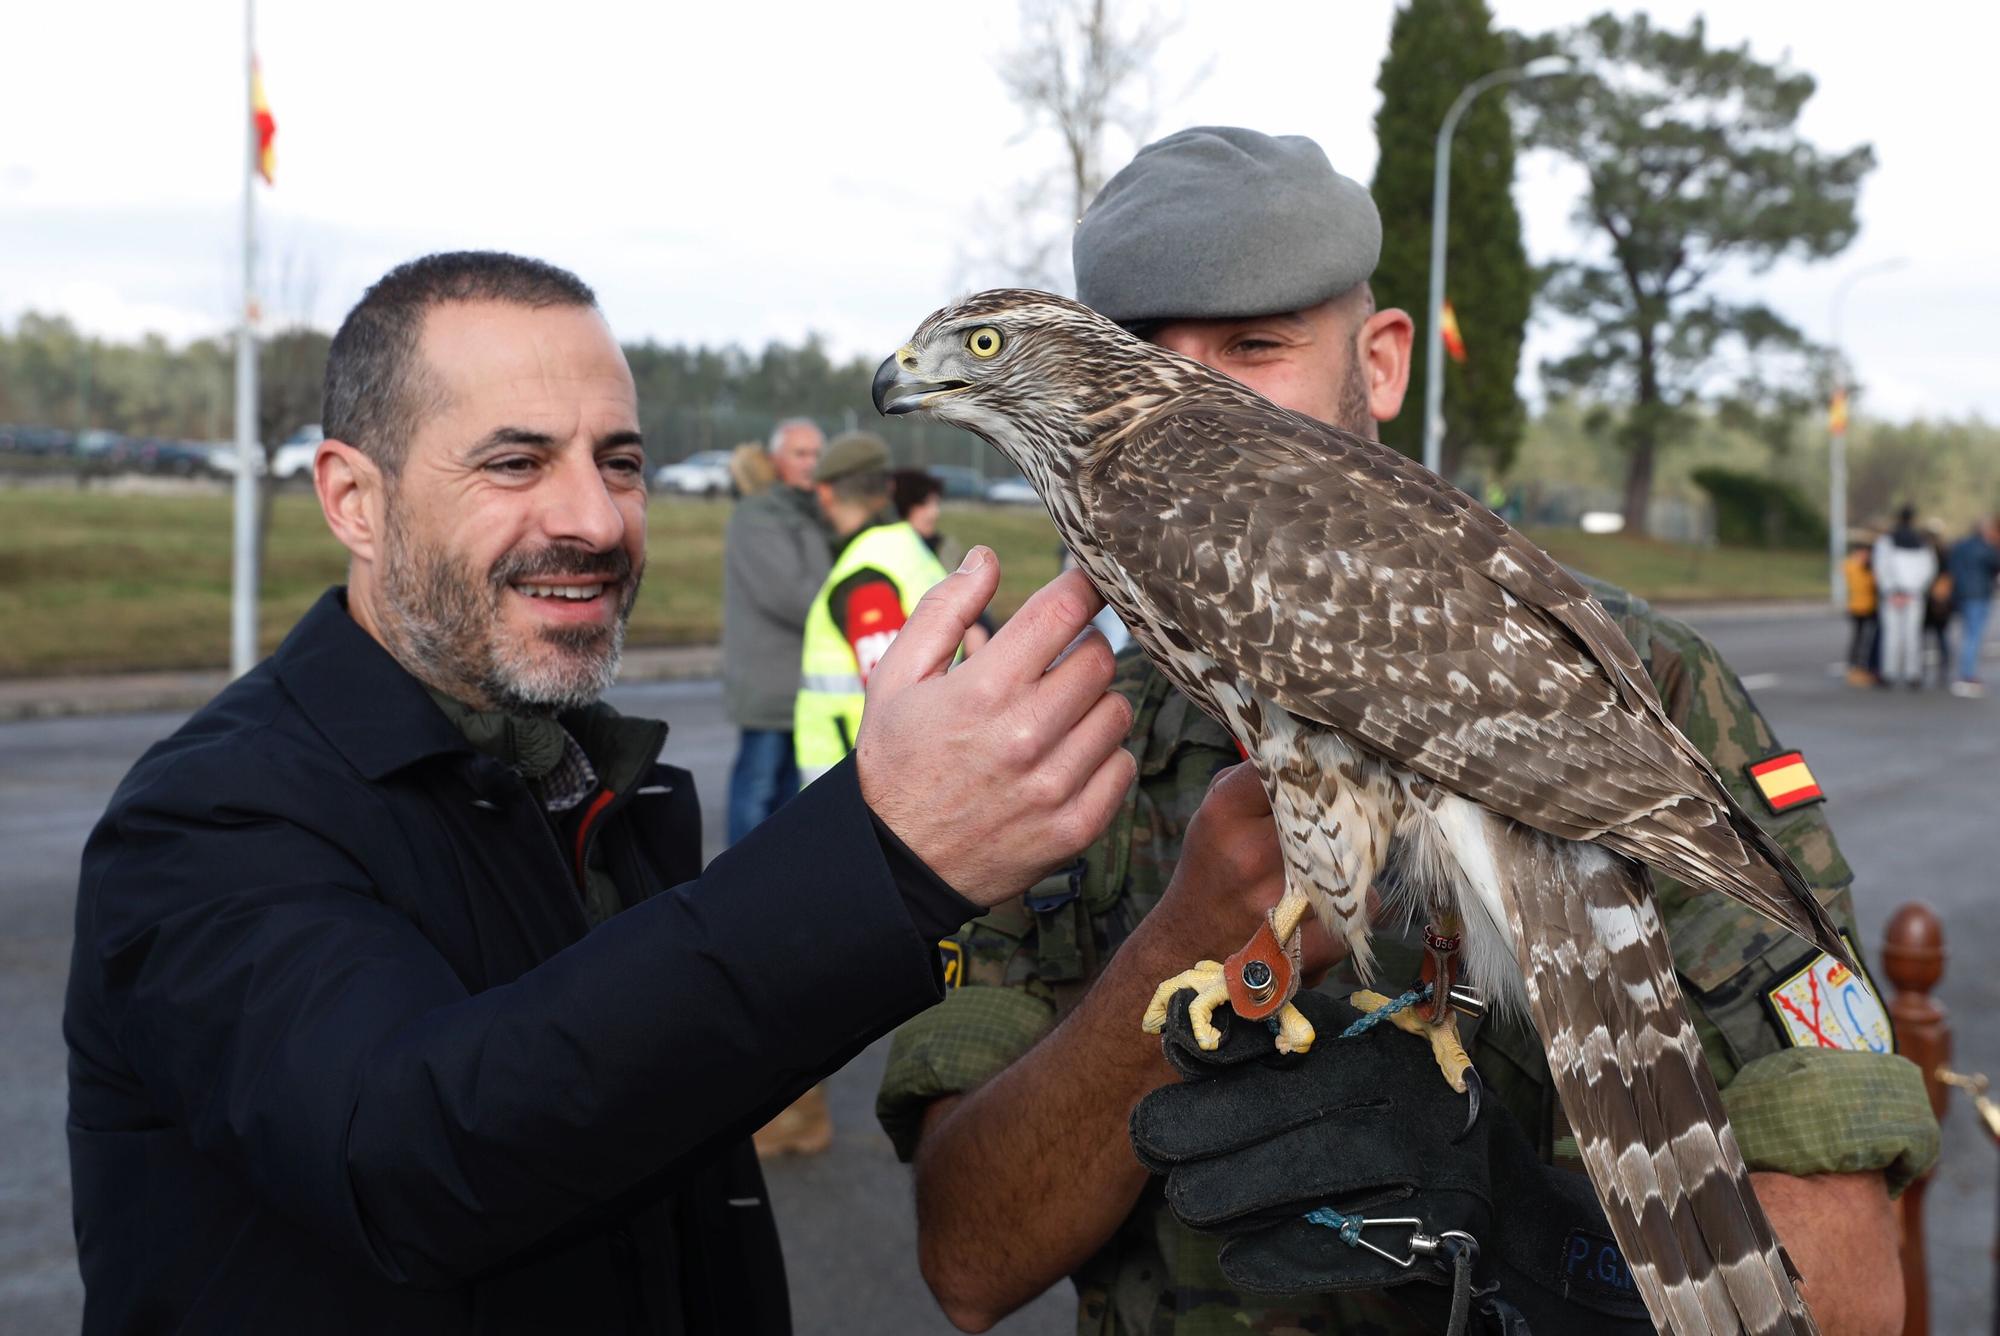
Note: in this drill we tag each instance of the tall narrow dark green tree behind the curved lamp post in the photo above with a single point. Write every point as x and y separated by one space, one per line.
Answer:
1435 49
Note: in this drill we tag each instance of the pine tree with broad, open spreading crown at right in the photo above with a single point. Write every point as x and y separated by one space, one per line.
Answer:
1697 167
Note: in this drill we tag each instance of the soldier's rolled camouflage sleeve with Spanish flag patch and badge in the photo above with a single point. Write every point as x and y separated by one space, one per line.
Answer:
1807 1095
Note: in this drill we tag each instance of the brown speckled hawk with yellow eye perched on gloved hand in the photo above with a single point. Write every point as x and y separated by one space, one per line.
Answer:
1413 681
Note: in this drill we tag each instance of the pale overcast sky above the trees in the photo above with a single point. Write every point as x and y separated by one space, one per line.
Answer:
759 171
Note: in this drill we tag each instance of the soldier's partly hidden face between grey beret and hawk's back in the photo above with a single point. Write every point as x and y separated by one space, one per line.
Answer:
1335 363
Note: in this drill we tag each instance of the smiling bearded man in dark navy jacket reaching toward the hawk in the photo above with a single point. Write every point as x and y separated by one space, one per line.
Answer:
401 1001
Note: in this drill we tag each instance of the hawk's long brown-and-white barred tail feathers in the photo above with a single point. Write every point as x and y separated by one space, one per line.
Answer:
1637 1091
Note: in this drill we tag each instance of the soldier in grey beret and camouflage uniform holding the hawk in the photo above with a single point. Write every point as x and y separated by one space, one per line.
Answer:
1013 1097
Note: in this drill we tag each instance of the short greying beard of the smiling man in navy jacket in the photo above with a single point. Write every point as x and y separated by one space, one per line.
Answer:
441 621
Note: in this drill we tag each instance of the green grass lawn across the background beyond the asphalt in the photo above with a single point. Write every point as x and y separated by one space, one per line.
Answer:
95 583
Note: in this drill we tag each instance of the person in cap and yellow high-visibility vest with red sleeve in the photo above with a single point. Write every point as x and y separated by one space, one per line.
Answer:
881 569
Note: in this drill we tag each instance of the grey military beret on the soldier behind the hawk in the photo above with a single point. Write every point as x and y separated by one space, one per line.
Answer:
1219 221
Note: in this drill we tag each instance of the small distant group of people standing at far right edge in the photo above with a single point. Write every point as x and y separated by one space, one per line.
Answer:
1913 591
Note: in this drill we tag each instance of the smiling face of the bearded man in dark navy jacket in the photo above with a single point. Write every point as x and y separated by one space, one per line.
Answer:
515 537
